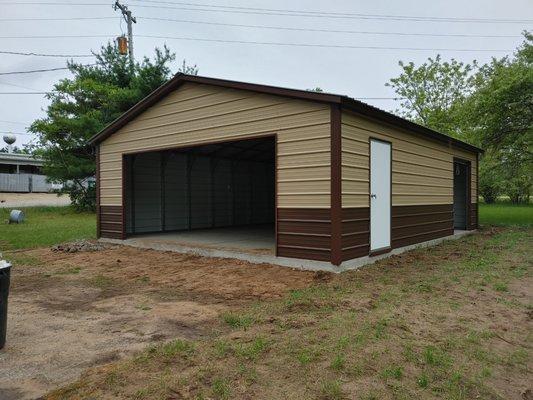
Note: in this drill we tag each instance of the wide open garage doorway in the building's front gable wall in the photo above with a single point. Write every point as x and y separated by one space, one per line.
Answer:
212 196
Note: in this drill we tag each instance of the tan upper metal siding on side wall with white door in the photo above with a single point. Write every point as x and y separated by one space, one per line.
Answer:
422 171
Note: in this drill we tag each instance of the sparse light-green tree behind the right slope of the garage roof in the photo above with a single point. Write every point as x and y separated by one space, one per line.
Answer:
433 92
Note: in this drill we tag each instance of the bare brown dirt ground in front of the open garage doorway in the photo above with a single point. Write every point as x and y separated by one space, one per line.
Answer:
68 312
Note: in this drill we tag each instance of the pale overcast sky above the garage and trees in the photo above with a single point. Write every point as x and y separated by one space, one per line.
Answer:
299 44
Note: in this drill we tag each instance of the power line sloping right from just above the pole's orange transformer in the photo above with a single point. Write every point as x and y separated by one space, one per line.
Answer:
319 45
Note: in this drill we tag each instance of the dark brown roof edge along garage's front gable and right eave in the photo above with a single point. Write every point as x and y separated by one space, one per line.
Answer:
343 101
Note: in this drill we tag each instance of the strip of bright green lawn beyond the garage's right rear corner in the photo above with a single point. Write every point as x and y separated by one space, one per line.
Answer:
506 214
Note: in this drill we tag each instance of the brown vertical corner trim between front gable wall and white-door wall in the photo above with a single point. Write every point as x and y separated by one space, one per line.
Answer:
336 185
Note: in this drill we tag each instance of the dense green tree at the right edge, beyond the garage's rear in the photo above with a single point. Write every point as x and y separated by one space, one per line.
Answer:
500 113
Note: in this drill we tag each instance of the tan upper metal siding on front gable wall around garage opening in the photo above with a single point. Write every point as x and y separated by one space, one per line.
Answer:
197 113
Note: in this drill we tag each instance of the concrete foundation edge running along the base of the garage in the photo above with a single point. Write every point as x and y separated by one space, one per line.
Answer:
295 263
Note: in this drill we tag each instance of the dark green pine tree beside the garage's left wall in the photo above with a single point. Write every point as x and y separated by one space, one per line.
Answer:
83 105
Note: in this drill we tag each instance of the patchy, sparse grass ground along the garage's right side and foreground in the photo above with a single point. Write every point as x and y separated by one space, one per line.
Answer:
431 323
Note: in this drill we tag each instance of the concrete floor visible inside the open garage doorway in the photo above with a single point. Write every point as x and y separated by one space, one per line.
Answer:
255 239
